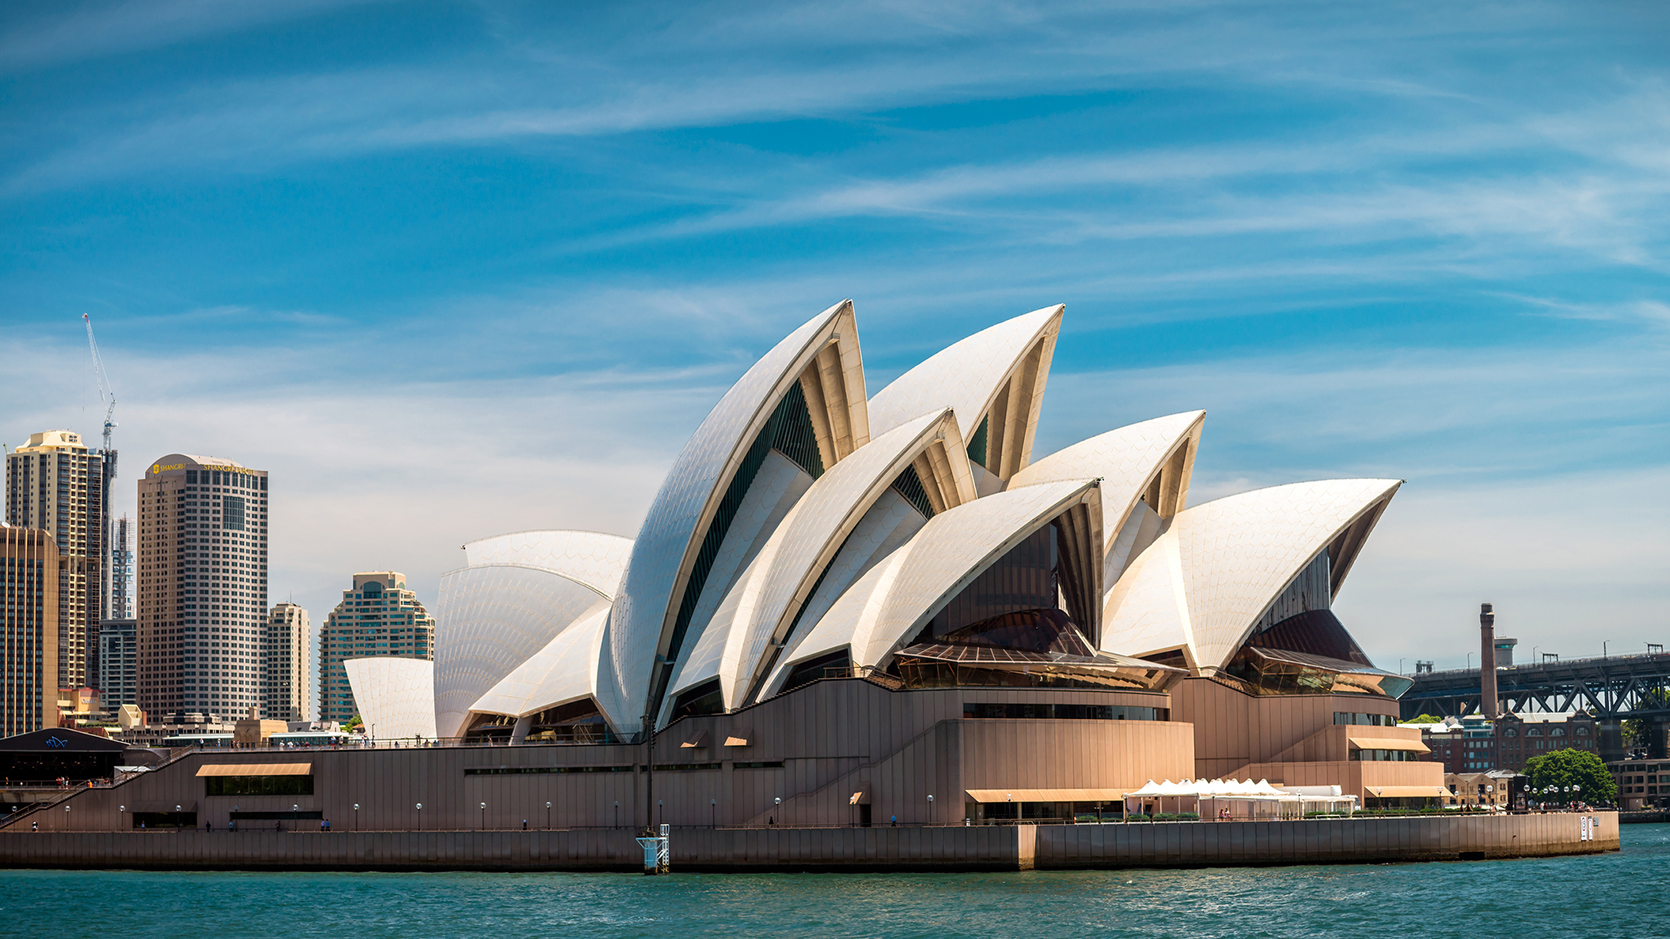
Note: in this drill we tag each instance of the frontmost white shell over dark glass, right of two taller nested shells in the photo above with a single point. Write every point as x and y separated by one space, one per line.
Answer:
898 597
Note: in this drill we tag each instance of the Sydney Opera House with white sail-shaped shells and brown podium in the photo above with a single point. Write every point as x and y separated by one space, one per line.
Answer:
849 607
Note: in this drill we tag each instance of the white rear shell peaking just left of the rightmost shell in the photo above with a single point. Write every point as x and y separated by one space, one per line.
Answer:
1150 464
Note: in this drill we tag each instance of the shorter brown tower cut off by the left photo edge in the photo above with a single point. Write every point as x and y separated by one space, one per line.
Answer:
29 631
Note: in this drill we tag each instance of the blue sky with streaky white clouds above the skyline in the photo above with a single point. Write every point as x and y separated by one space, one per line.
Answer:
452 270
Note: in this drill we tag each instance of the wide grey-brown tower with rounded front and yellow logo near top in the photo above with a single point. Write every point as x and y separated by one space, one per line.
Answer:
203 587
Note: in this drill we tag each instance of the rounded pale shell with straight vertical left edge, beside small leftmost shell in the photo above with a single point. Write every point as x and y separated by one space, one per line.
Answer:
490 621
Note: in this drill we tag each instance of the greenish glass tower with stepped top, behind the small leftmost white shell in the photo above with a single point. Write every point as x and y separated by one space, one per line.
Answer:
377 617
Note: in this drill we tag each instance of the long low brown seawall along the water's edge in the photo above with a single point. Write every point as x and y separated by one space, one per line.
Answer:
1163 845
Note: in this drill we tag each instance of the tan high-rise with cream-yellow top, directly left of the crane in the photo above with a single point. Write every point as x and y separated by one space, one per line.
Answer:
58 485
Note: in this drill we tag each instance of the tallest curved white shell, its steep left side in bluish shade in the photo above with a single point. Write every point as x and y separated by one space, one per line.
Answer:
824 358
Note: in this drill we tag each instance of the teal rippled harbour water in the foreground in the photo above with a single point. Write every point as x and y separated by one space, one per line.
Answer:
1616 895
